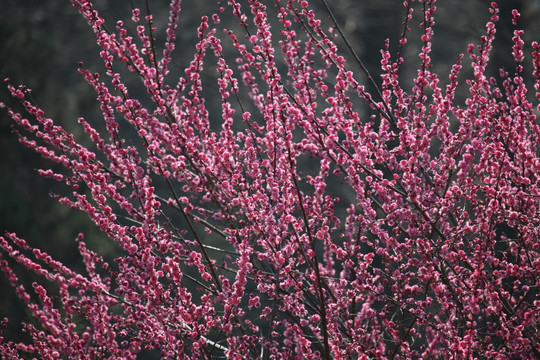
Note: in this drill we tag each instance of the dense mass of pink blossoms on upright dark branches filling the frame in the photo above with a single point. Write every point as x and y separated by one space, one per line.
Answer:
320 213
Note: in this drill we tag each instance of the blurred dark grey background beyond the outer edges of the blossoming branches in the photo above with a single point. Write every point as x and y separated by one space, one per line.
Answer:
42 42
